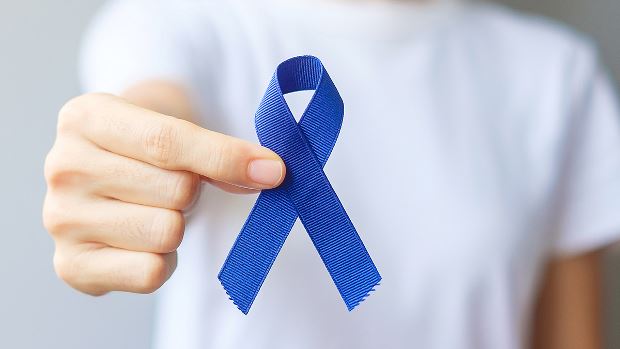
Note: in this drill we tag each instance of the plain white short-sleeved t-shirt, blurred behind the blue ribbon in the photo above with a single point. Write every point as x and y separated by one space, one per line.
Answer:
477 143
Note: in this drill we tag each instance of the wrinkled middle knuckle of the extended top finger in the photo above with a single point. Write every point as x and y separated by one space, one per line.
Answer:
162 143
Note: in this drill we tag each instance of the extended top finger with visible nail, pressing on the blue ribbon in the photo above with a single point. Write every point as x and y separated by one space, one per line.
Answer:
170 143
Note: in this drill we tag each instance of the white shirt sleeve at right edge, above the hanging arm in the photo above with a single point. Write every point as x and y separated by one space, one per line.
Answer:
589 214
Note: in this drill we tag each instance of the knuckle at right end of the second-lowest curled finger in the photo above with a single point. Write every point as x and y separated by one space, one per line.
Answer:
168 231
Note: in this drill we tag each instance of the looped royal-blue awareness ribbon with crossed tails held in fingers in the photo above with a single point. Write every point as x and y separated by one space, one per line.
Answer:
305 192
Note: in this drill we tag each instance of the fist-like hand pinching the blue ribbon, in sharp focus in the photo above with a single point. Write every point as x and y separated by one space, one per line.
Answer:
118 179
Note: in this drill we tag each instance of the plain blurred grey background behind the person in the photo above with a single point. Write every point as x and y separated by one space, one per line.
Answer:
38 45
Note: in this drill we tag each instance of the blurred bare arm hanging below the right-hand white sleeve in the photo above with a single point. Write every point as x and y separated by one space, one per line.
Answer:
568 311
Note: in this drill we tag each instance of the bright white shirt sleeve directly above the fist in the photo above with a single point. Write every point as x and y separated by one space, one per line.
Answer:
129 41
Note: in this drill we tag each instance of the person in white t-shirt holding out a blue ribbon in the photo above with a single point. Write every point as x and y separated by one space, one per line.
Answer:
478 160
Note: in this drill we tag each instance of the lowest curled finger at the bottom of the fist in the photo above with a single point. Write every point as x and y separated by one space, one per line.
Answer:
96 270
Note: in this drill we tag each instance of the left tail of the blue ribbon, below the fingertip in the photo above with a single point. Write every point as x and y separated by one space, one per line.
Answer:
257 247
